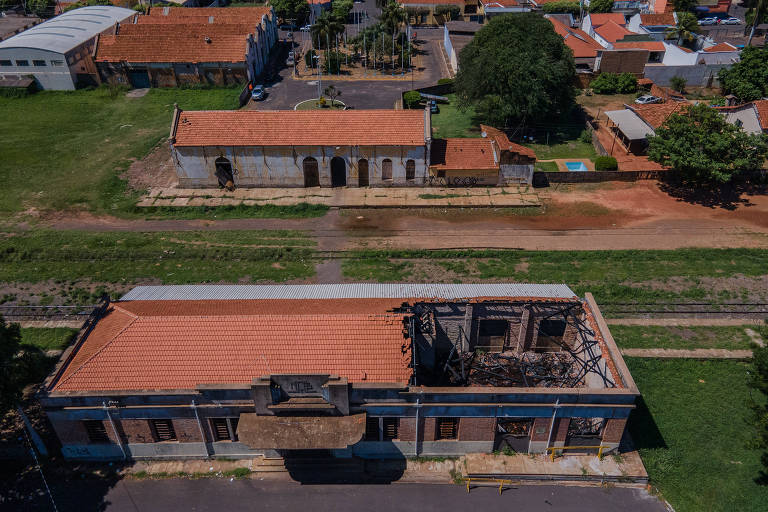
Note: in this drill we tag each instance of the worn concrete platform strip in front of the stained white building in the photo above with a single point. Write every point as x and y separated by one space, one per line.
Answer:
511 197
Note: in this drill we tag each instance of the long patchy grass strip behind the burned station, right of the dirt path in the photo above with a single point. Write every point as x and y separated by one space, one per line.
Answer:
612 276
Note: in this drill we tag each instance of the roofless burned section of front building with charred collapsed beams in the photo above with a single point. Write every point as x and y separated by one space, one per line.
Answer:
508 343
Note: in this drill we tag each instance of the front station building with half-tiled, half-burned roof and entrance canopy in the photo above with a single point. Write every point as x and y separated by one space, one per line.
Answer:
369 370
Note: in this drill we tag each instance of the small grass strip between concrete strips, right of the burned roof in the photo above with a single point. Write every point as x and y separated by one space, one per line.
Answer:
693 337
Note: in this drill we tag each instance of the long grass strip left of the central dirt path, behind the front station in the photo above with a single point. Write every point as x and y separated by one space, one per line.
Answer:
168 257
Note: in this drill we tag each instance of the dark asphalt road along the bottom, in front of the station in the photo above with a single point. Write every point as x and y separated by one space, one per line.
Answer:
218 495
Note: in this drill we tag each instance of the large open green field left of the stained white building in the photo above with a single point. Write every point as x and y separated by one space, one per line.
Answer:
66 149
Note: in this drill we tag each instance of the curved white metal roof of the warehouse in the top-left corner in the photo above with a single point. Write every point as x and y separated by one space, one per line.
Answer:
69 29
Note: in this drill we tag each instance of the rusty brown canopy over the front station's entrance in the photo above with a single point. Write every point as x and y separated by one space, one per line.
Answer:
300 432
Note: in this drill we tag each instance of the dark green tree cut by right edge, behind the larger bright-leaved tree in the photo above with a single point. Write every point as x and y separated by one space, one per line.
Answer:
748 78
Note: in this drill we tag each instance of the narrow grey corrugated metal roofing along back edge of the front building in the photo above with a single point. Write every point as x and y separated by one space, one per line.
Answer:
348 291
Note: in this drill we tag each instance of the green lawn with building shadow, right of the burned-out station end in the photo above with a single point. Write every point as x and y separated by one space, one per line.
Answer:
690 427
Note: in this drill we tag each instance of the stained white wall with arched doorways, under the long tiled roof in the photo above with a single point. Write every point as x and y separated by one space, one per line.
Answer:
283 166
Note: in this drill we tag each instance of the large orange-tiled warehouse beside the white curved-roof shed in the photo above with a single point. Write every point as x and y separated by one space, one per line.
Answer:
174 46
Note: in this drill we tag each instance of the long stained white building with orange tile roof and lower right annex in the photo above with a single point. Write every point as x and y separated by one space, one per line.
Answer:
352 148
